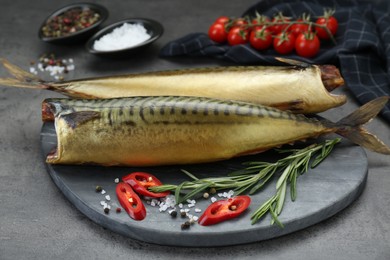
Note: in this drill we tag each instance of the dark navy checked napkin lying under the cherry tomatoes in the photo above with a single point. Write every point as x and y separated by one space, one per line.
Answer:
362 51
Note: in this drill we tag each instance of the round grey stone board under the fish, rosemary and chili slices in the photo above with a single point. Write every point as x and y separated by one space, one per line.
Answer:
321 193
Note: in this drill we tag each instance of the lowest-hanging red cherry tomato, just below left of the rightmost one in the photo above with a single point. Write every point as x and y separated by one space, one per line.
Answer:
307 45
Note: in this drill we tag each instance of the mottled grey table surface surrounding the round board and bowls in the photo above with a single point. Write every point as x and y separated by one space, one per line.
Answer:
37 221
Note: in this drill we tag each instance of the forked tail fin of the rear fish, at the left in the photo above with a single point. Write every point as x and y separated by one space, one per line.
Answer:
22 78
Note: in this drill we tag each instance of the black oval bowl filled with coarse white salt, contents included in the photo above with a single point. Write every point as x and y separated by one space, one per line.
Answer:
124 37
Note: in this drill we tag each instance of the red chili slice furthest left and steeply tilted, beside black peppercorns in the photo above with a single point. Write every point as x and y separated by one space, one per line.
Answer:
130 201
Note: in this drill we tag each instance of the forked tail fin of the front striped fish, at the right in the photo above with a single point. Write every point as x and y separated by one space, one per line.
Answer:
351 126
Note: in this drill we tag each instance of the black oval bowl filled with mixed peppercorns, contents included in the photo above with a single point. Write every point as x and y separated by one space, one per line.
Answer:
72 23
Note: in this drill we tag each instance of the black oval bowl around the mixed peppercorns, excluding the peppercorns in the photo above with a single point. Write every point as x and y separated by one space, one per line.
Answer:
78 36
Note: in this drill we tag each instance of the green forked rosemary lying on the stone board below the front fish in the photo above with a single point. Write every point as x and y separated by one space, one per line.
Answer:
256 175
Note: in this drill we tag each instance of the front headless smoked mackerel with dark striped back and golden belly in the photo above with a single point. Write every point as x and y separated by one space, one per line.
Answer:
146 131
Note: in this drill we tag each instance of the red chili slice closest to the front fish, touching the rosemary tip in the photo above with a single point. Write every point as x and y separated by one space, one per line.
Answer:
141 181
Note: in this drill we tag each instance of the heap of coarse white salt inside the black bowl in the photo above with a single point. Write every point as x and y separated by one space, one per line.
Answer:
125 36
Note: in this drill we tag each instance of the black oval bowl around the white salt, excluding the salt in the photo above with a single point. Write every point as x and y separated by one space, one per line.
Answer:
153 28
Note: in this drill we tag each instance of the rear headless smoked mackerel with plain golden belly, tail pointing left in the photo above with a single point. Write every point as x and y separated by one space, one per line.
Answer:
296 88
